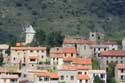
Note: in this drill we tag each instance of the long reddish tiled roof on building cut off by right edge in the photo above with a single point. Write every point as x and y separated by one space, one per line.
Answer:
113 53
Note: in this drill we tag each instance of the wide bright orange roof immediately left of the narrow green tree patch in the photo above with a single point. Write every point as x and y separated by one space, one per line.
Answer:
83 61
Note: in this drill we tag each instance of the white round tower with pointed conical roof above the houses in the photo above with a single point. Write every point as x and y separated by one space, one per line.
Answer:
30 33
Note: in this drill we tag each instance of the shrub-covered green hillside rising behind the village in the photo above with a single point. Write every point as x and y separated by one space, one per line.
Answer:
72 17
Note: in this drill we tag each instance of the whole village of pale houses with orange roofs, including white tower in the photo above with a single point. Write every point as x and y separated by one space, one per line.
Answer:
78 60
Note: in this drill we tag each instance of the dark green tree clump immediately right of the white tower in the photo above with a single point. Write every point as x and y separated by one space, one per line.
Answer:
51 39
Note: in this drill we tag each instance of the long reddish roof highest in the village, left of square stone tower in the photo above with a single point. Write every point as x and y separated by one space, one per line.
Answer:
78 41
